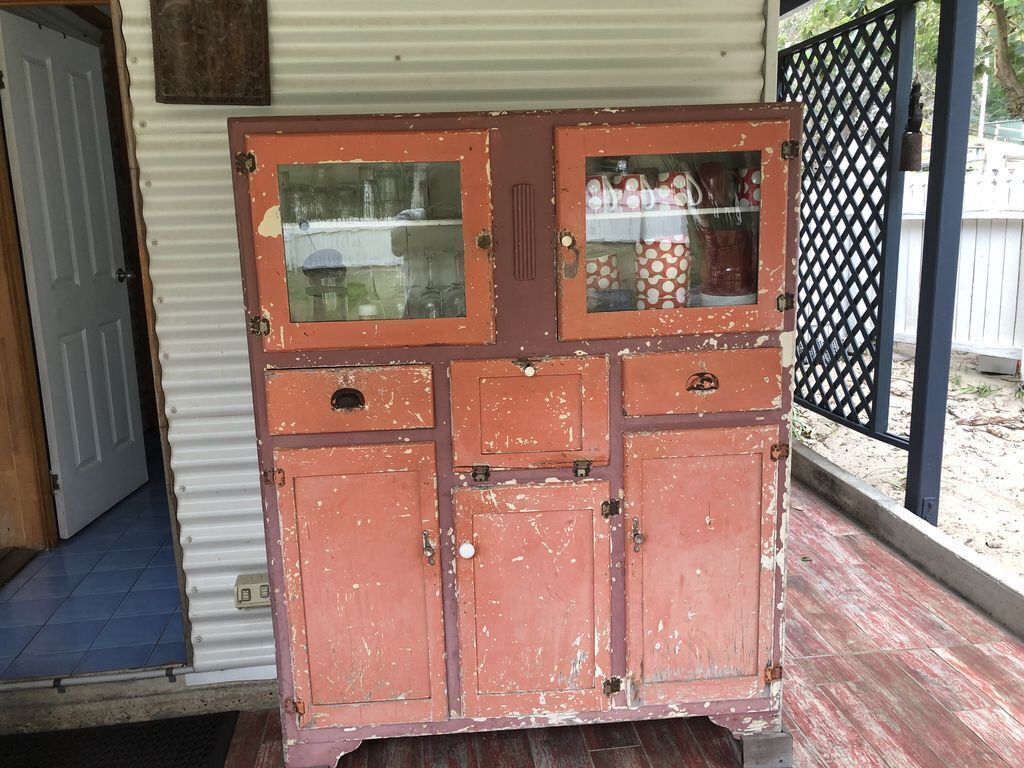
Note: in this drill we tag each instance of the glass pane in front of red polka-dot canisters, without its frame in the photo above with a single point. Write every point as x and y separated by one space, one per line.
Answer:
666 232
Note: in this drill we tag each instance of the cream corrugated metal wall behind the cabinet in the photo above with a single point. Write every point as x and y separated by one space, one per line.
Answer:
387 56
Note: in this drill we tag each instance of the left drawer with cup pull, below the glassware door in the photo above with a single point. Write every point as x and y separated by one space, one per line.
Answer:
350 400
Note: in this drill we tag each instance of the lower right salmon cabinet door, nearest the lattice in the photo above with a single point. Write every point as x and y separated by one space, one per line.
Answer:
700 588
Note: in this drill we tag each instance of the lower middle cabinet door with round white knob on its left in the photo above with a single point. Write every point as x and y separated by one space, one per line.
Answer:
534 599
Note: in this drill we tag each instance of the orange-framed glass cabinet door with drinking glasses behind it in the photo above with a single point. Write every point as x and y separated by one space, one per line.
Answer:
372 239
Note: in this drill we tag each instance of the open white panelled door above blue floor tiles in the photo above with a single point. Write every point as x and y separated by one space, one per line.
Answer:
63 173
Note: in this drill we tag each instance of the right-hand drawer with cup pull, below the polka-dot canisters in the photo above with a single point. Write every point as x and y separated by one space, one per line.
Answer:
703 382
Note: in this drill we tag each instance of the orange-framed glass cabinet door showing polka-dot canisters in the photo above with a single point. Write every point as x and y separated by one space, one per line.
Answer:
673 229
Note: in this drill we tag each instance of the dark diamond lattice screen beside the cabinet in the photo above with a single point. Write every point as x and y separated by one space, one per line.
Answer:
855 82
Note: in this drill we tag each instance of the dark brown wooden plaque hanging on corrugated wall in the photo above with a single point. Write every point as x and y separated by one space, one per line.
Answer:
211 52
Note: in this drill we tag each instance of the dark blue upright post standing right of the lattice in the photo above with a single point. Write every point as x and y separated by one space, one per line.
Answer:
951 133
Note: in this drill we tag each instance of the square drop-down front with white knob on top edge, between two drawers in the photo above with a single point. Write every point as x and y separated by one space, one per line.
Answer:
522 414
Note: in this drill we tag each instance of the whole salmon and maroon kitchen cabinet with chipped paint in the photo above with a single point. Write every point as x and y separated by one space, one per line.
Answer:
522 386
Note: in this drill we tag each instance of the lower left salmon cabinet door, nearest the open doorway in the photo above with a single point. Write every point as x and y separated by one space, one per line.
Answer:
364 603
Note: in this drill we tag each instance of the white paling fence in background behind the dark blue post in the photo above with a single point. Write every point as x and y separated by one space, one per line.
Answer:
989 316
